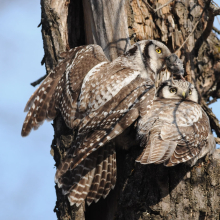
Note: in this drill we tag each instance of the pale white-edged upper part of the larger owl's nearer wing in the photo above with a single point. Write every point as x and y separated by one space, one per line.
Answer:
103 83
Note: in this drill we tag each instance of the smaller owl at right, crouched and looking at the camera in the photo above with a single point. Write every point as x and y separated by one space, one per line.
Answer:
177 129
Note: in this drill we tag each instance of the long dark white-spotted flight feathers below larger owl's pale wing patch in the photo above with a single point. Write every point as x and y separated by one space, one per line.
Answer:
100 129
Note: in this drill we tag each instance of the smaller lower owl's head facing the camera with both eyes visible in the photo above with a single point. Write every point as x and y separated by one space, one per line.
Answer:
177 89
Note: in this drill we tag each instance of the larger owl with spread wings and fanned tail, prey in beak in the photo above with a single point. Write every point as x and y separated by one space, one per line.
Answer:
101 100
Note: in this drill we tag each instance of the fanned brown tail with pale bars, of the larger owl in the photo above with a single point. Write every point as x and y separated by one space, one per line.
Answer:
92 179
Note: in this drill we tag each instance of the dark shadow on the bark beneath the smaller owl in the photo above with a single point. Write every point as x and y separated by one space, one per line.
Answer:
138 188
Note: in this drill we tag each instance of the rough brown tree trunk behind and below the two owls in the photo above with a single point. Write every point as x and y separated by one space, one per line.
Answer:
142 191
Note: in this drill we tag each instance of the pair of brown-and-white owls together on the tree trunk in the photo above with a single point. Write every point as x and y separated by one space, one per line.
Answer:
101 99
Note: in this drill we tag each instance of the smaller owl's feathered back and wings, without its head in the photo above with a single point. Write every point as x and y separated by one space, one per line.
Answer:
177 135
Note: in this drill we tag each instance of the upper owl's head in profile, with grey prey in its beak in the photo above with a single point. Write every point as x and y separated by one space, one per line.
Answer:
154 60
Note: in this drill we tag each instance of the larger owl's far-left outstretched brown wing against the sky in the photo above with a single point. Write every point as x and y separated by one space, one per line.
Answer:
61 88
